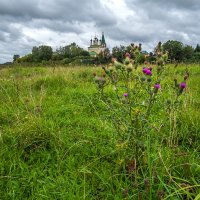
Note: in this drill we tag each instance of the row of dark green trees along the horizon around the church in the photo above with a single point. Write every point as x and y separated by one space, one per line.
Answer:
72 54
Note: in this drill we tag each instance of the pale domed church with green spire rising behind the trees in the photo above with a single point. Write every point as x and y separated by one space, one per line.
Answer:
97 45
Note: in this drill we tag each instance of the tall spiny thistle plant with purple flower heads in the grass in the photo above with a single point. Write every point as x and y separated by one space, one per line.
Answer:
134 98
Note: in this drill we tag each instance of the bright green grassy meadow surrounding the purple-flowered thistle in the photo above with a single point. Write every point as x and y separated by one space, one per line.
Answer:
58 141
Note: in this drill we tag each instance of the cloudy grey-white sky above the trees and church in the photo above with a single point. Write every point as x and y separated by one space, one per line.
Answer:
28 23
